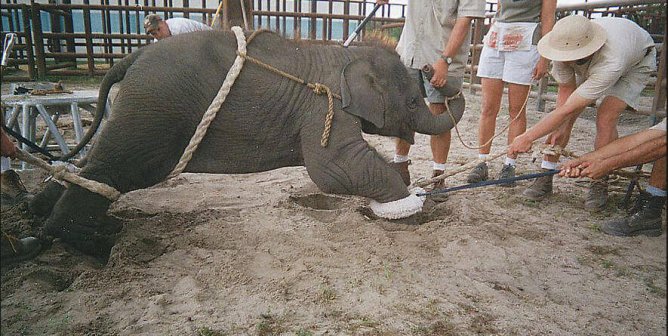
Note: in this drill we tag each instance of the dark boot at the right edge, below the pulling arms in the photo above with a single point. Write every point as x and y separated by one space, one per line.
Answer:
645 220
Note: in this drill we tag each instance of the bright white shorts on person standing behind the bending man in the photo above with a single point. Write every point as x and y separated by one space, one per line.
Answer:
510 66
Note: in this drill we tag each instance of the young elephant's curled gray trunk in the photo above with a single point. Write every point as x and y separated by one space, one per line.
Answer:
426 123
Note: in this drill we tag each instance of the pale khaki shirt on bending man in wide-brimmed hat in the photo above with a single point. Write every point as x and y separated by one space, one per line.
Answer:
621 55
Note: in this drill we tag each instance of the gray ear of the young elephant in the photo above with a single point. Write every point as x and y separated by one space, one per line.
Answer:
361 94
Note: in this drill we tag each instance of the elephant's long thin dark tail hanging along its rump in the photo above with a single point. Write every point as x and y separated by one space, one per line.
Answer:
113 76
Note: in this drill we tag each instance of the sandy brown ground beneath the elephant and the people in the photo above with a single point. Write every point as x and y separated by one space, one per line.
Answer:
269 254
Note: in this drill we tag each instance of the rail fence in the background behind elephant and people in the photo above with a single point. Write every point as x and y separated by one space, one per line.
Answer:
86 39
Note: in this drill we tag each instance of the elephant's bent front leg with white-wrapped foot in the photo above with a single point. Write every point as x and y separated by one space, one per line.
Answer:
356 169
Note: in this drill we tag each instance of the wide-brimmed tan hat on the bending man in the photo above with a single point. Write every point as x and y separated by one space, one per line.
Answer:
572 38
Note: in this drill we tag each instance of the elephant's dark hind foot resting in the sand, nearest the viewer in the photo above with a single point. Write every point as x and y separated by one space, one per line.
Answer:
95 240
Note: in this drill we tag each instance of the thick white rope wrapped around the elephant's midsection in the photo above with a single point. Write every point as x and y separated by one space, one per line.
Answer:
217 102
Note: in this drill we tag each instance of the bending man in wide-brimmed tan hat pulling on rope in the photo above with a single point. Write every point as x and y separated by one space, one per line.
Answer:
609 58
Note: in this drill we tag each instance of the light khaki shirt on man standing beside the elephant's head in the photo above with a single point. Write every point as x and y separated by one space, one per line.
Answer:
428 27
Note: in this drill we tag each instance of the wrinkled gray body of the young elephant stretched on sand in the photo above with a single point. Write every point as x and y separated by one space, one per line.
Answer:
266 122
